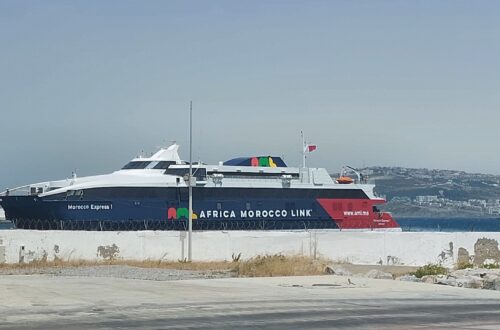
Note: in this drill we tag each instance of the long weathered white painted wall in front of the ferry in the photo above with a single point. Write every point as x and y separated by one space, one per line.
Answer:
408 248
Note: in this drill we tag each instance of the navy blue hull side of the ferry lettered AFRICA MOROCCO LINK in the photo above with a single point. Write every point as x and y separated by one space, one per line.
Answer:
166 209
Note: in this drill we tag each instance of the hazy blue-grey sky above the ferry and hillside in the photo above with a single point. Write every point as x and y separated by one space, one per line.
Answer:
87 85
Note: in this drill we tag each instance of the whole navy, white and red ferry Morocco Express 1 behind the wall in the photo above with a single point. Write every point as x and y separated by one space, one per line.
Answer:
247 193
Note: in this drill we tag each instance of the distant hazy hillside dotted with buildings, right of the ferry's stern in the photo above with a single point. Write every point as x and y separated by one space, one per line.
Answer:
424 192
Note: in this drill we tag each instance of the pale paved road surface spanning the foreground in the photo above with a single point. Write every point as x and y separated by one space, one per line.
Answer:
47 302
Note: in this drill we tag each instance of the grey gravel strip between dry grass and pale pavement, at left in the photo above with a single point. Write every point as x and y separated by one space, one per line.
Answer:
120 271
